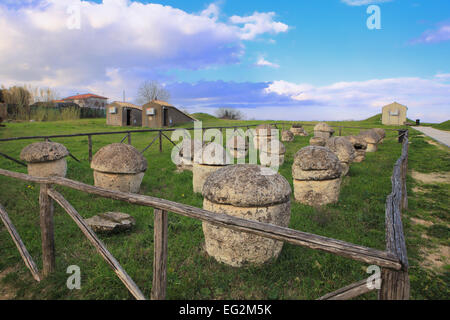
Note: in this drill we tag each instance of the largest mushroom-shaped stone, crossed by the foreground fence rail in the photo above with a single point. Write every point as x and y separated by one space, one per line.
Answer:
250 192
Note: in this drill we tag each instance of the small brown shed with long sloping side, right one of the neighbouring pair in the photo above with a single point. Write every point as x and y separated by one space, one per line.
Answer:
157 114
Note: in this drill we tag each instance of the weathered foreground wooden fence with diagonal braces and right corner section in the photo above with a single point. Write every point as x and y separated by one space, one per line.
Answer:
393 261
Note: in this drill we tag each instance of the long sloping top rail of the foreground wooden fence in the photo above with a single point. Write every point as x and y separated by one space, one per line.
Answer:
338 247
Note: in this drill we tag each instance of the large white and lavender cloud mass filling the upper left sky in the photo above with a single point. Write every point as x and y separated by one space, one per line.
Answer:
136 40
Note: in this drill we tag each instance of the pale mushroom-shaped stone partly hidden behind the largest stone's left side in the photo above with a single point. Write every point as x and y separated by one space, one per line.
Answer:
209 158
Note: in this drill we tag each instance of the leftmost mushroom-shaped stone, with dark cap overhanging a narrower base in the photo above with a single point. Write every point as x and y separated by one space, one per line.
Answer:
45 159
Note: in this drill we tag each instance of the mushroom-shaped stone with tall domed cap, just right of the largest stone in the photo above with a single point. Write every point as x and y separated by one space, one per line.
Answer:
316 171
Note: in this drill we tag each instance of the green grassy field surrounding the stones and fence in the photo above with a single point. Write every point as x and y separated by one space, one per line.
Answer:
298 273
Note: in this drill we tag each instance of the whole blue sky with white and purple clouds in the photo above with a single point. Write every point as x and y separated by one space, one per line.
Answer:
280 60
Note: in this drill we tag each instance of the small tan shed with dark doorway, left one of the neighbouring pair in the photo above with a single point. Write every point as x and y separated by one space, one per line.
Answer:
123 114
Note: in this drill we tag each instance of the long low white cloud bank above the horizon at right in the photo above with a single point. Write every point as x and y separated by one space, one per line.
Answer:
428 99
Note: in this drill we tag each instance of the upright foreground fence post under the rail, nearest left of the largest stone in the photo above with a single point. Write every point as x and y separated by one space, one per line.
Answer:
160 255
